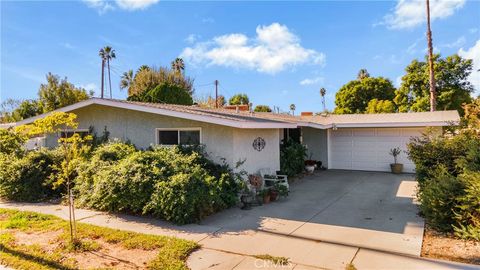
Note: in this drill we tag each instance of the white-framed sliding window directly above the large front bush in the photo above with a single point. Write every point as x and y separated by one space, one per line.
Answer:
178 136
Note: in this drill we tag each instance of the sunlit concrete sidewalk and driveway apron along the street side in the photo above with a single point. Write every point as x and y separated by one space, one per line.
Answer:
222 249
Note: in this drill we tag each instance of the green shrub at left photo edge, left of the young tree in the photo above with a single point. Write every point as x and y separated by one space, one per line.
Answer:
28 178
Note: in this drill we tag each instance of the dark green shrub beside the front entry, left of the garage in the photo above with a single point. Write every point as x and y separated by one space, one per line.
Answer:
292 158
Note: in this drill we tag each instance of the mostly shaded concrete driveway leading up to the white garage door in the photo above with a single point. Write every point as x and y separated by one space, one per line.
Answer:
370 210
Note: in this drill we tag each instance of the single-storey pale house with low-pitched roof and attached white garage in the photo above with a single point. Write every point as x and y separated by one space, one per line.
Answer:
352 142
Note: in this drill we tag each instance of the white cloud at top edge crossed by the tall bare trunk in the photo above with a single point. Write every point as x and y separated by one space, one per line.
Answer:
410 13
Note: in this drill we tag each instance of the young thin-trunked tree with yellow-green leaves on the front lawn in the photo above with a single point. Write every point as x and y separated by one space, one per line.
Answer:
73 148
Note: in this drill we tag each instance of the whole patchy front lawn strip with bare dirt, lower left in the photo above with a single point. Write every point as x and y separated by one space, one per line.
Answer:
35 241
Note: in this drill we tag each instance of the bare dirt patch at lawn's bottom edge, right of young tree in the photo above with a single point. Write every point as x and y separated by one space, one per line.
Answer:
112 255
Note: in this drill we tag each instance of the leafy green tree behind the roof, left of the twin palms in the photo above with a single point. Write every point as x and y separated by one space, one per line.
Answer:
58 93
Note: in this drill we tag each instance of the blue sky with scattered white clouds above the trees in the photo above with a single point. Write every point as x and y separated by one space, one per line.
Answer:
277 52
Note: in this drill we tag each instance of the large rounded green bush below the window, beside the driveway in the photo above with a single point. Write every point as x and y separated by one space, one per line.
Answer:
178 185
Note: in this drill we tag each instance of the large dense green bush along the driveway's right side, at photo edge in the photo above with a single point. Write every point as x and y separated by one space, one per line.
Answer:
448 172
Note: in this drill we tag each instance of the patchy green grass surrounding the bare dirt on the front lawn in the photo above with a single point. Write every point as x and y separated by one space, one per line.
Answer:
172 252
